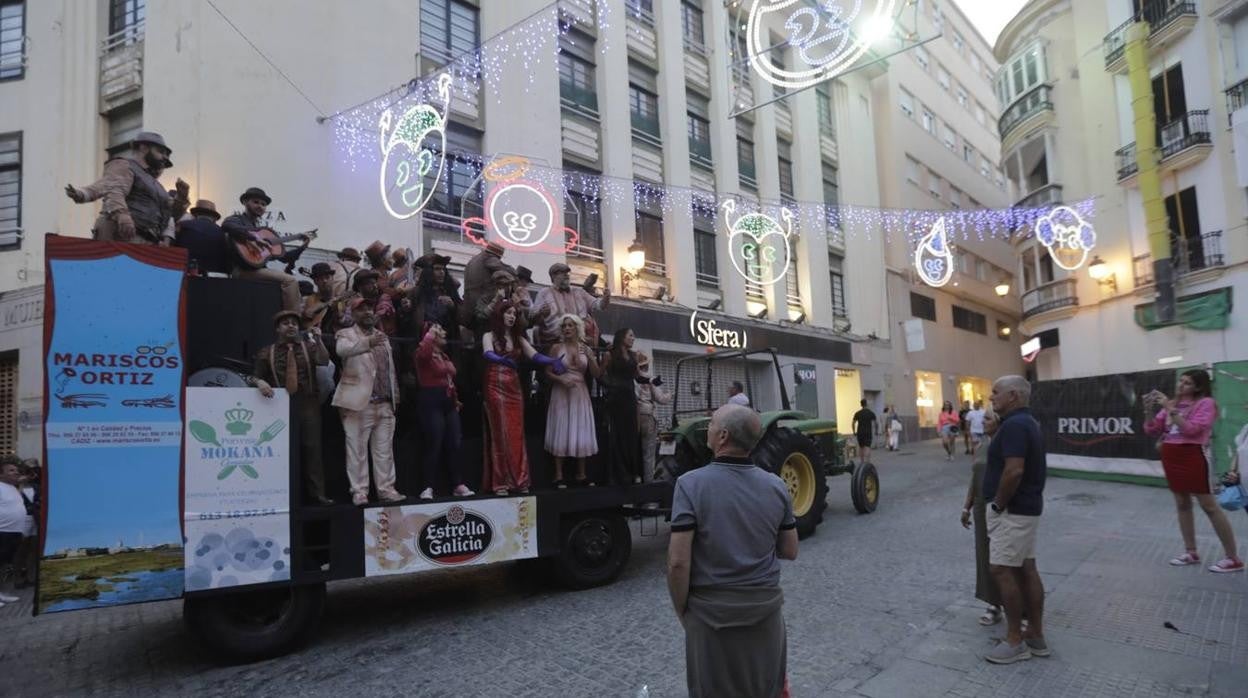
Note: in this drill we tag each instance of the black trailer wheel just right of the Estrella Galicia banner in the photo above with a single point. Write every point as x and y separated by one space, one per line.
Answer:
595 549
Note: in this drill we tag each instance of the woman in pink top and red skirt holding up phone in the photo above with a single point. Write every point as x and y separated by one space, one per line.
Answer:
1186 425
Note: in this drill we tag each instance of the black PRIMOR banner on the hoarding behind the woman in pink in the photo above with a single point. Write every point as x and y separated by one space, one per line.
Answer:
1098 424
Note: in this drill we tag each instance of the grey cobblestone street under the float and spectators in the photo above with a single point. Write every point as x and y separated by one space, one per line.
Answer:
877 606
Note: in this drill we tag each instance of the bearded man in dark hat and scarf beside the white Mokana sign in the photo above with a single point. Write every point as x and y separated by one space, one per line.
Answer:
291 364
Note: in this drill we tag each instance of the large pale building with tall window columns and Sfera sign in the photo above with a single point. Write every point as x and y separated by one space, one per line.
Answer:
638 92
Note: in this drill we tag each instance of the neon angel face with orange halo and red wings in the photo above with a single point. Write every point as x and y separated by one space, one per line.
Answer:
519 213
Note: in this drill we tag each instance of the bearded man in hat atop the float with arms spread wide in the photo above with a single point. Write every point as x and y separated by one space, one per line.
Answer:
137 208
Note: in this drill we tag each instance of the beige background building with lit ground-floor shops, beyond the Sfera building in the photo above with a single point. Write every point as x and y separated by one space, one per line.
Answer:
939 150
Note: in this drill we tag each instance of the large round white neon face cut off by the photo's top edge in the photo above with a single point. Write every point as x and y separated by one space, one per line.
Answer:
829 37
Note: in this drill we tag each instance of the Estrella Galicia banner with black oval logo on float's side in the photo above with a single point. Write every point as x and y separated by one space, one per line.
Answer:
420 538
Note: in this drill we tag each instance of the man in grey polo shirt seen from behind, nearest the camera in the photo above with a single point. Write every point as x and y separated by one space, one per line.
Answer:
732 524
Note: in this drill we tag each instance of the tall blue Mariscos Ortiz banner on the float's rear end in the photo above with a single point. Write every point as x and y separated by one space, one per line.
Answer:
113 434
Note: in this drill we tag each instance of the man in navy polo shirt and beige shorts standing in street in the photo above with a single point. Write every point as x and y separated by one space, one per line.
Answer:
1014 484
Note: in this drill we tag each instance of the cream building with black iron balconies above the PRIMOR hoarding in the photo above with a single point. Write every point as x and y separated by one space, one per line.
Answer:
1068 135
